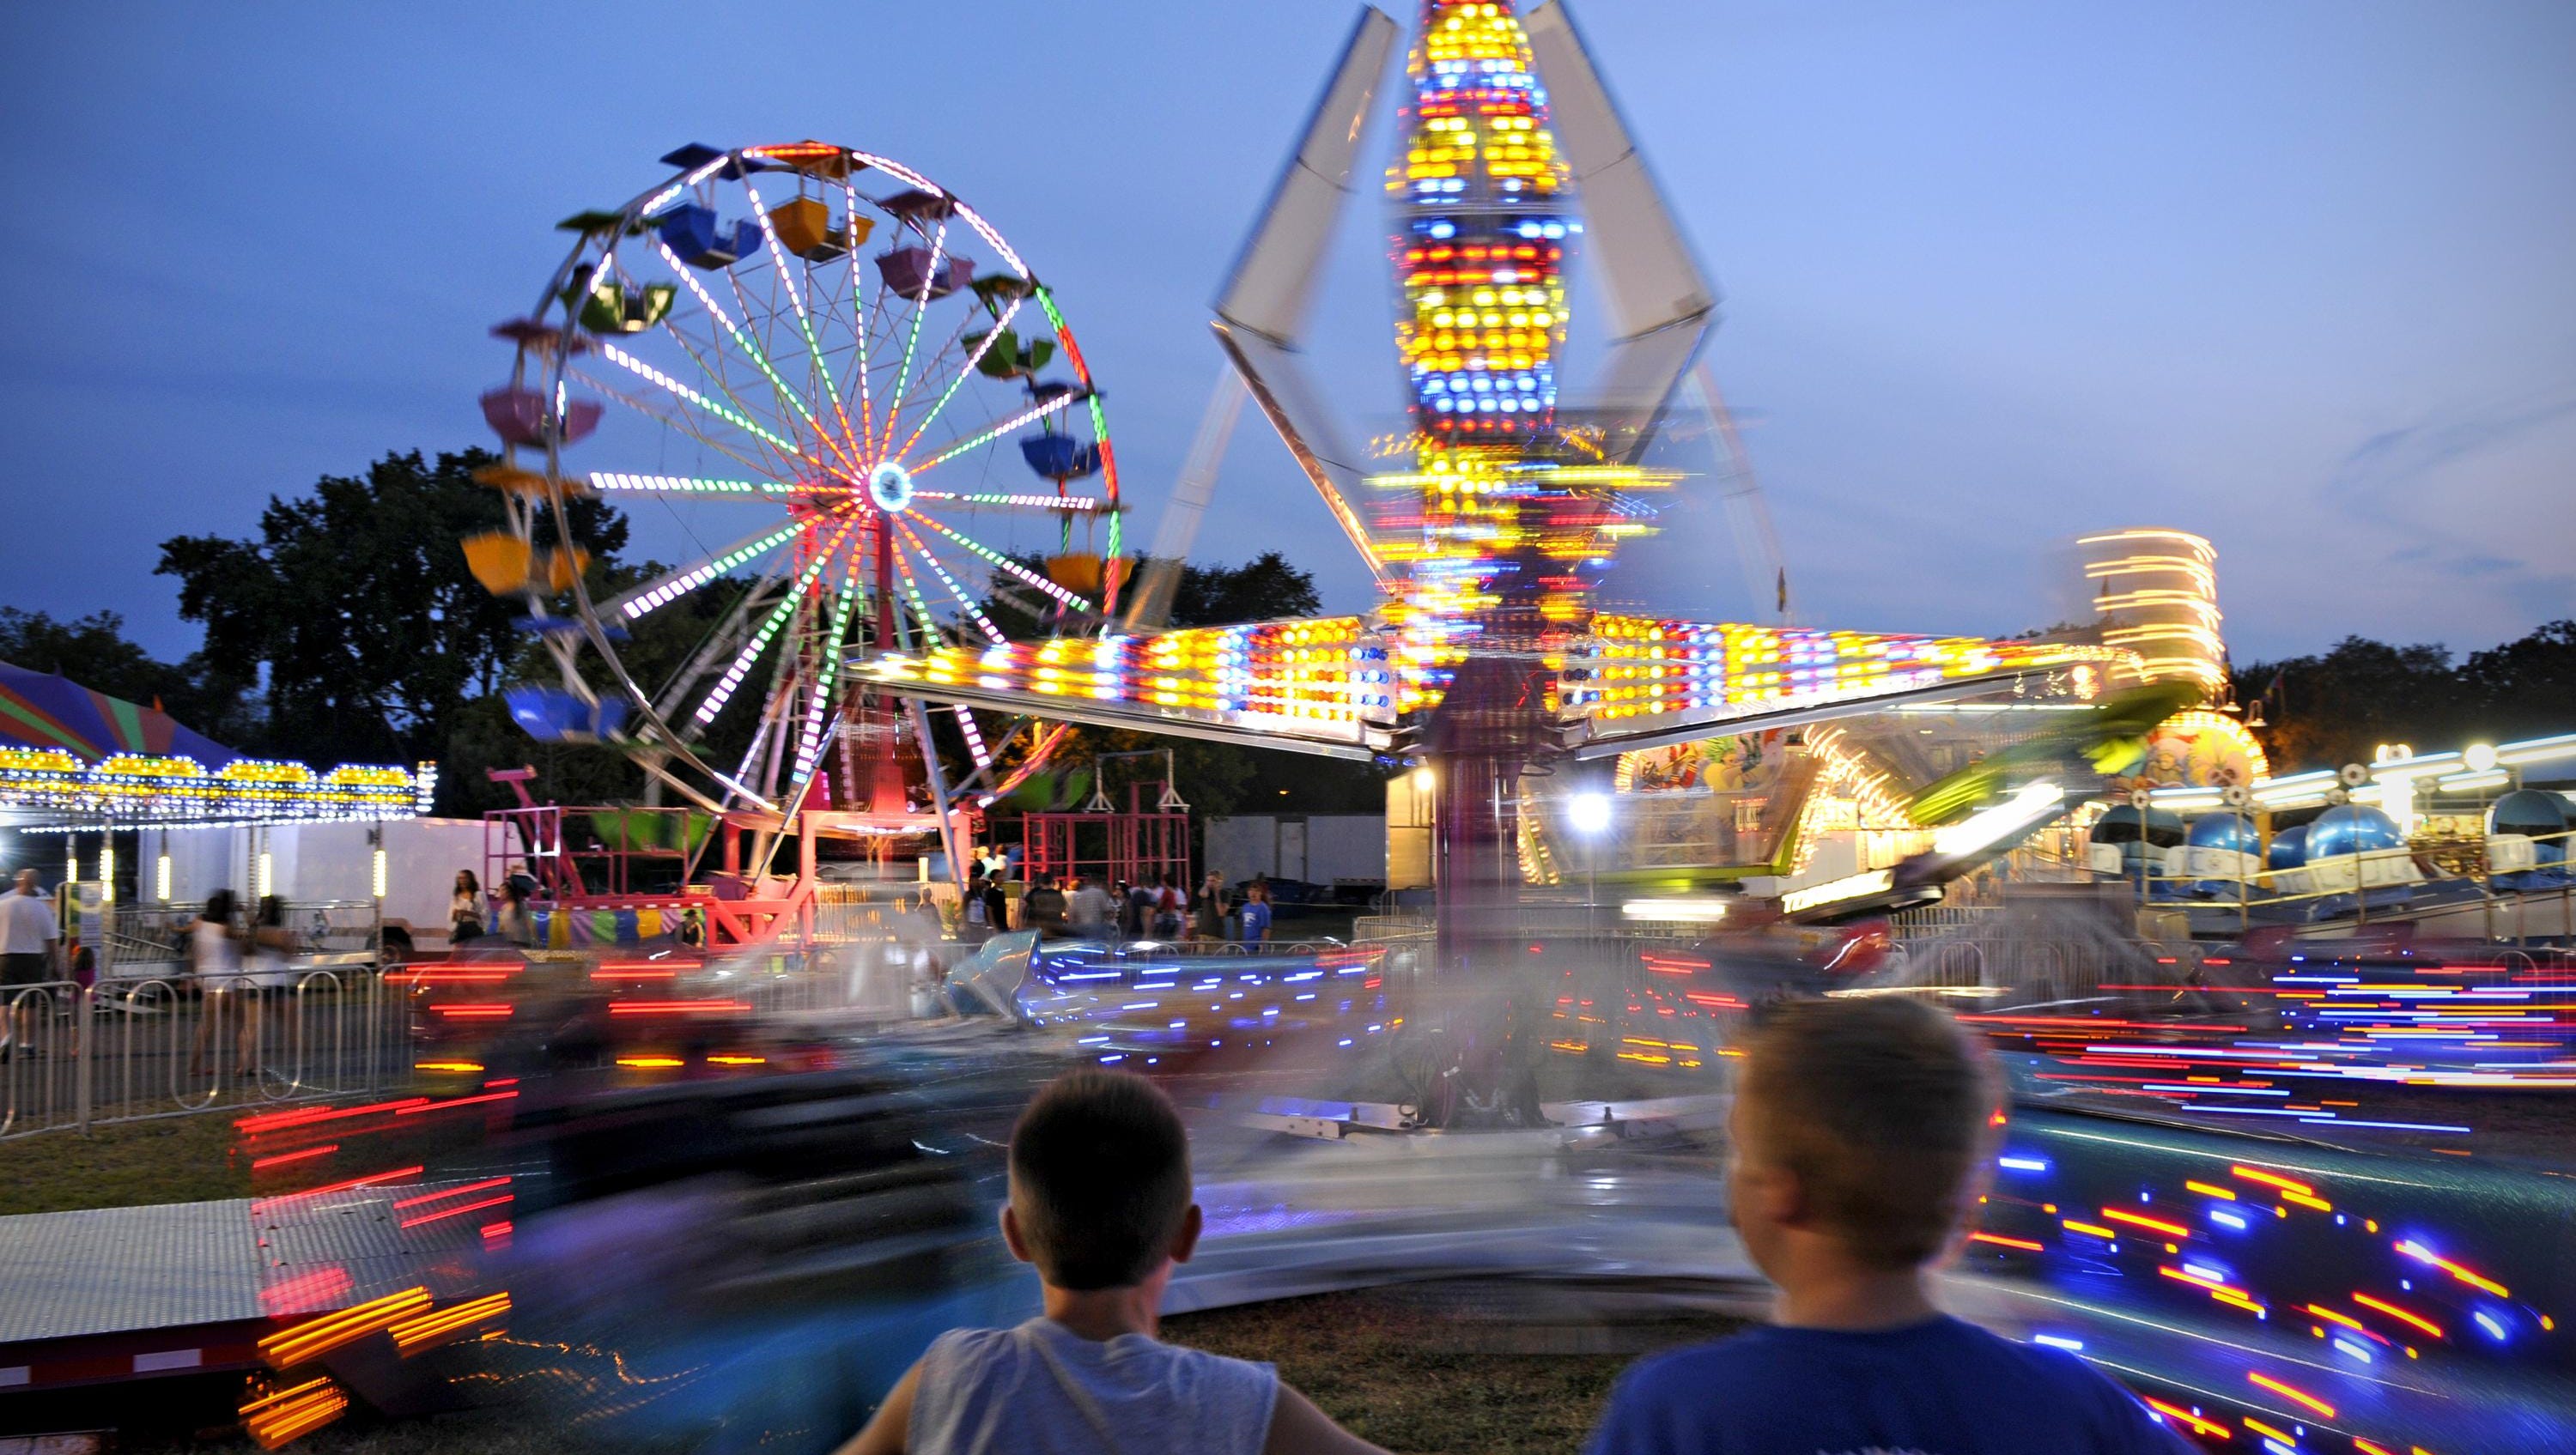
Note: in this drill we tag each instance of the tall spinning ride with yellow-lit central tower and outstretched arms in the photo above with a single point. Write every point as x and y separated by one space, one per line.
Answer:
1488 653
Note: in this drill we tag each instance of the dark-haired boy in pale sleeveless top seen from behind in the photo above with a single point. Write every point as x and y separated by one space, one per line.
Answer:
1101 1204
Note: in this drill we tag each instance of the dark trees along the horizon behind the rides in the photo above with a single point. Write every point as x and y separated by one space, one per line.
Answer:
349 630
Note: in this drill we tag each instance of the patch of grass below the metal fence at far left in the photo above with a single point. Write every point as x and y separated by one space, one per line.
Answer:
128 1165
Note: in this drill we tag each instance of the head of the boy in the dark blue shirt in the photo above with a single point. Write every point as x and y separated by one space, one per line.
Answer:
1859 1129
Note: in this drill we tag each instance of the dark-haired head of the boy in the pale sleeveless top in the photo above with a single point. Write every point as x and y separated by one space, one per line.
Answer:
1099 1178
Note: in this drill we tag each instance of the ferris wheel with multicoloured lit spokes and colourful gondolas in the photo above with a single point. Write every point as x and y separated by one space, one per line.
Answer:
877 434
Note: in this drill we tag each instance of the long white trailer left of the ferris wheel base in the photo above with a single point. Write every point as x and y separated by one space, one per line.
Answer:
321 864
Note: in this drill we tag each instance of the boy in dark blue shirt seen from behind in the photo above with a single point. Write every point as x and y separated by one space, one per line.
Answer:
1859 1132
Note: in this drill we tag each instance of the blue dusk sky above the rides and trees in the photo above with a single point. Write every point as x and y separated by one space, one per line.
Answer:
2289 274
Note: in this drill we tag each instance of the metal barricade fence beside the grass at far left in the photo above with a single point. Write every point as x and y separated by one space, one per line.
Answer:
158 1047
